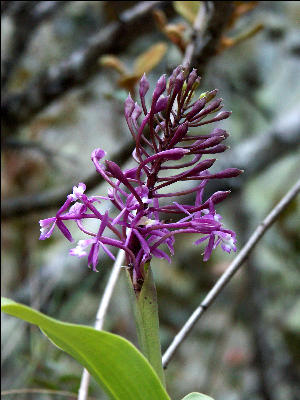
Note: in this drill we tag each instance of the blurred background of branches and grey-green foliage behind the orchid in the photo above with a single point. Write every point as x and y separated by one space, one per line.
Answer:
67 68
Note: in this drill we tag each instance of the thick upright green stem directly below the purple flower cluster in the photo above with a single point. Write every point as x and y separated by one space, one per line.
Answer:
147 322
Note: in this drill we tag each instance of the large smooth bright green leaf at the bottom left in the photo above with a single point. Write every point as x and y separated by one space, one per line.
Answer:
120 369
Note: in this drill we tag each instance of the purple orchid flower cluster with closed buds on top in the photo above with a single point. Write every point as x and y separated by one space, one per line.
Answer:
162 136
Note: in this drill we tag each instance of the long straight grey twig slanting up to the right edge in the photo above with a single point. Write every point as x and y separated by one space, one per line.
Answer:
230 271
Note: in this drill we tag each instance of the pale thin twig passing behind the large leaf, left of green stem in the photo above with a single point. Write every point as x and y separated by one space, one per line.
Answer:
103 306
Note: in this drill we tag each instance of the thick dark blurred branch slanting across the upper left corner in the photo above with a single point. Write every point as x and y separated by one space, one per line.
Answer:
77 69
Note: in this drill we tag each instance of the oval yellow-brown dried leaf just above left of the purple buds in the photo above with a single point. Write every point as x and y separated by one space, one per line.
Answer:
148 60
